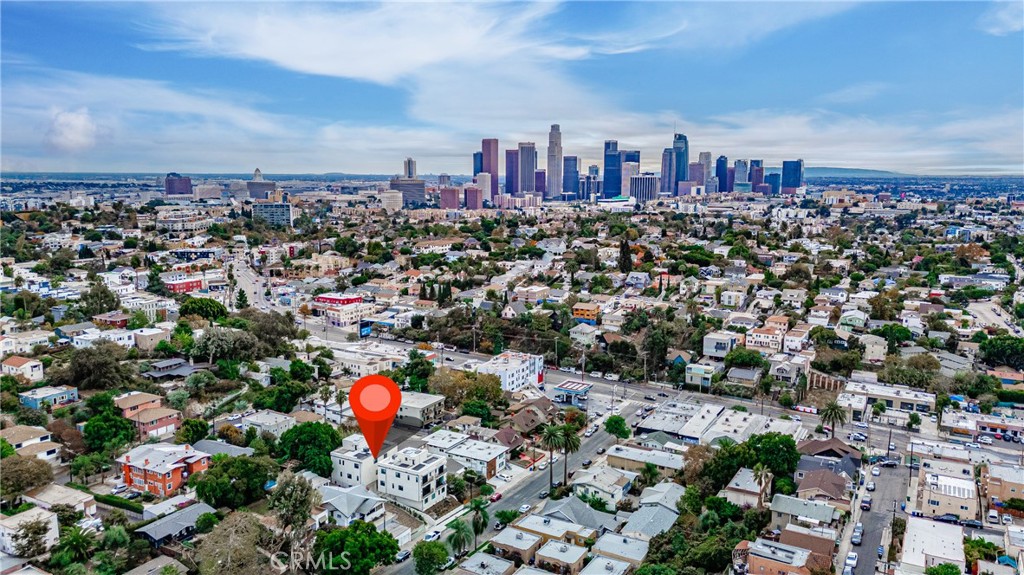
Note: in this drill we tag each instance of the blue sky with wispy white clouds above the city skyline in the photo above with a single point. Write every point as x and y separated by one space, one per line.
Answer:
917 87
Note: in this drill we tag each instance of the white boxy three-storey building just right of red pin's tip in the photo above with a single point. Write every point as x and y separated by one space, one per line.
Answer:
413 477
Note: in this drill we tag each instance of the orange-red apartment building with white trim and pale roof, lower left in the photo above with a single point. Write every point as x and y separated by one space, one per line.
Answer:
161 468
